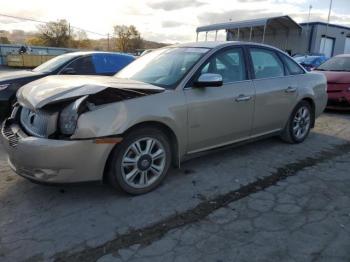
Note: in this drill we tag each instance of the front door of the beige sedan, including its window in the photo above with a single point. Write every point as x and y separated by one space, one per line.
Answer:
221 115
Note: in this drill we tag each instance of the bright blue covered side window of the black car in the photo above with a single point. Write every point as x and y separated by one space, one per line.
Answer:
109 63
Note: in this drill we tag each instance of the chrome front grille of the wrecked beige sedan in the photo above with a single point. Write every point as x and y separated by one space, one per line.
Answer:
38 123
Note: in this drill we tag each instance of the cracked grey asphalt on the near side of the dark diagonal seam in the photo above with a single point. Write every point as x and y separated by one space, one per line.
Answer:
305 218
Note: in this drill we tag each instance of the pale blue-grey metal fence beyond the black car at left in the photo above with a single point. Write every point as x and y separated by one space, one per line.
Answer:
39 50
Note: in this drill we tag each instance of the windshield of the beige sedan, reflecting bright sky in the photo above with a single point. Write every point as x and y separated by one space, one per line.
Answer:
164 67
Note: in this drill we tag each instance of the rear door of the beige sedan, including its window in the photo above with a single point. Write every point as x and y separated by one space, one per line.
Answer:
276 92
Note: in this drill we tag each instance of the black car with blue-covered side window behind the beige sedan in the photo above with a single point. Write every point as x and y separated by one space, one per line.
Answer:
77 63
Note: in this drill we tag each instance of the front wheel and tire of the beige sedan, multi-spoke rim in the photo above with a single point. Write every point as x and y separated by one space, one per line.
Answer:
141 162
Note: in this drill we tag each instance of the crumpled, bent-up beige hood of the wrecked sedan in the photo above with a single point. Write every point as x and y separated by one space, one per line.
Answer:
53 89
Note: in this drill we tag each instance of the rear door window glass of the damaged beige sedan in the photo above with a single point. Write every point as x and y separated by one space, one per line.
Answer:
266 63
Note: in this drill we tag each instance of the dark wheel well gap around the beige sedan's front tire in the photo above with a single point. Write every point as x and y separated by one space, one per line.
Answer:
165 129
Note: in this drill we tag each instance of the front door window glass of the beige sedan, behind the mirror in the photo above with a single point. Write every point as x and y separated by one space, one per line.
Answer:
229 64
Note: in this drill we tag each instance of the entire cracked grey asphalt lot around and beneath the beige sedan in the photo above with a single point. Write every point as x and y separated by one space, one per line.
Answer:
264 201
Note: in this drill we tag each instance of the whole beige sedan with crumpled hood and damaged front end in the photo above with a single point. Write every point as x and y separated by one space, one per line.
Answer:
160 109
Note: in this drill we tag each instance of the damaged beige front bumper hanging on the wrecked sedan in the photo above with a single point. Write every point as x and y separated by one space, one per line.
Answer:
53 161
